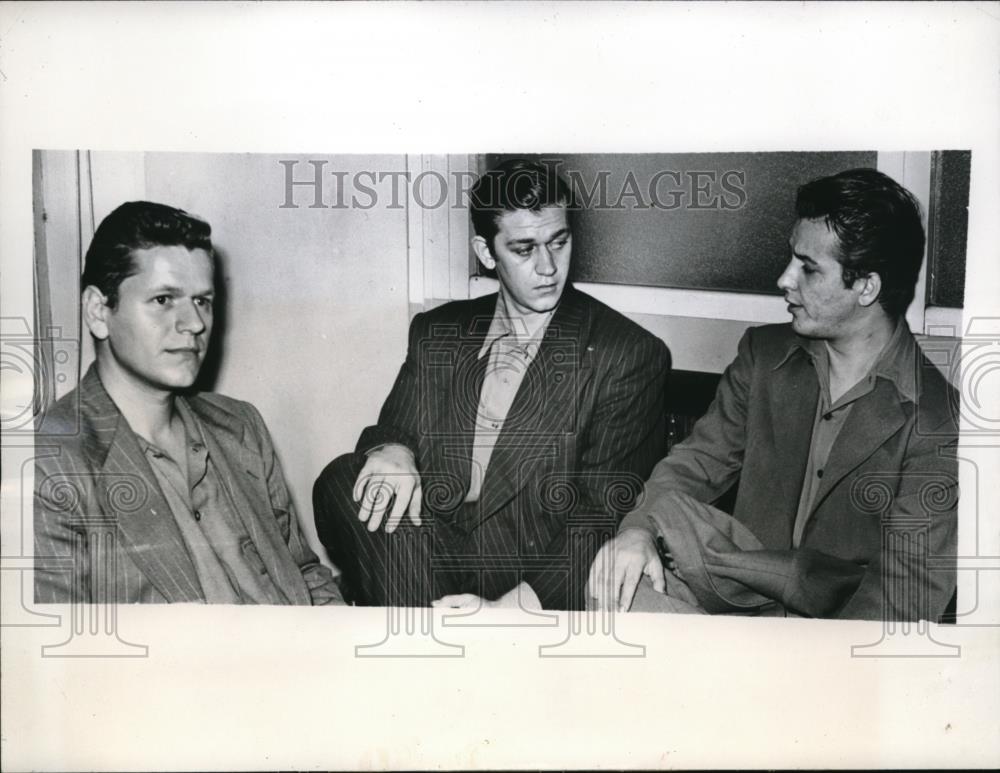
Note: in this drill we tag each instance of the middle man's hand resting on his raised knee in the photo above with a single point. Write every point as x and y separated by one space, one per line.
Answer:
389 477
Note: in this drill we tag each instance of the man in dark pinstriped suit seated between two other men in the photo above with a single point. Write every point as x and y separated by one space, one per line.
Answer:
517 433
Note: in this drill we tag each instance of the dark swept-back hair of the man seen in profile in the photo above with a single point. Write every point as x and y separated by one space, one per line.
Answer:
878 226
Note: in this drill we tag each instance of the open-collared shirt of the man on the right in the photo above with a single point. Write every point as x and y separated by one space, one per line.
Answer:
831 418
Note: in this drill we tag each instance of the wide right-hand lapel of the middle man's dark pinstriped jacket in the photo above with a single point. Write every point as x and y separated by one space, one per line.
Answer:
544 407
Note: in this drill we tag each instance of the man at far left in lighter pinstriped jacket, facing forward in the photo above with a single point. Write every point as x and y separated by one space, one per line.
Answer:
144 490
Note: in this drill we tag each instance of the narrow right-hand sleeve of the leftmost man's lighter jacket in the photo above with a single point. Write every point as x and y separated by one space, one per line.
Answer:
319 579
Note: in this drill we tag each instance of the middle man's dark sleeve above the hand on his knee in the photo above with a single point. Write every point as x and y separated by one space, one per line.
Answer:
399 419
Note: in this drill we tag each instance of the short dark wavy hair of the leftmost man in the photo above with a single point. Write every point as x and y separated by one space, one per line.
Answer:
138 225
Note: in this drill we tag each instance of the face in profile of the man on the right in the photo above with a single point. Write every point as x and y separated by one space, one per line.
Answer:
813 284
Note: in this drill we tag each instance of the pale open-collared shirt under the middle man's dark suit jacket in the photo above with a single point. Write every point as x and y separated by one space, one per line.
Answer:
512 343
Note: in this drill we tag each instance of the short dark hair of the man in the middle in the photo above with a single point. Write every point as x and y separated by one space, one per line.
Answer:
515 184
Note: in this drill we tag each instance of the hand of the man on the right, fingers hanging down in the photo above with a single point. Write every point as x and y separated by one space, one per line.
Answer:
620 565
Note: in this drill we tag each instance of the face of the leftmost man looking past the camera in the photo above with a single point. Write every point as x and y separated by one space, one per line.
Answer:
158 333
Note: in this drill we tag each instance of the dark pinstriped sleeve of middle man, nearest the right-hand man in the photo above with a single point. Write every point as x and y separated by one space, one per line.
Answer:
625 436
